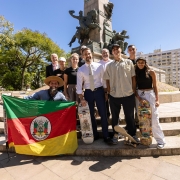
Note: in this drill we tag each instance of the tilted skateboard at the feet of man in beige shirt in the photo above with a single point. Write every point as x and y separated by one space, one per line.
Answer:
128 139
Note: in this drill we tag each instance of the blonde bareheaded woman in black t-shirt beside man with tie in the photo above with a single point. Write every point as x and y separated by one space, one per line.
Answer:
70 79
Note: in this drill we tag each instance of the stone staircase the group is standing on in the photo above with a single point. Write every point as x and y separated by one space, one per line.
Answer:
169 120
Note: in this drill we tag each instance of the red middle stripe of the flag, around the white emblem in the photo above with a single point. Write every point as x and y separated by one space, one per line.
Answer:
62 122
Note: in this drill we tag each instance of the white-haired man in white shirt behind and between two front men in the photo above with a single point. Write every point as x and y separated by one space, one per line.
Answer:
104 62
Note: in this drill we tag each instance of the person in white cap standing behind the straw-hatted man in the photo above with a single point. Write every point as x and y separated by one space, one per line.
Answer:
60 72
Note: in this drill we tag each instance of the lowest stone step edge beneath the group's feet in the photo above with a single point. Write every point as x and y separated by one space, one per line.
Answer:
126 151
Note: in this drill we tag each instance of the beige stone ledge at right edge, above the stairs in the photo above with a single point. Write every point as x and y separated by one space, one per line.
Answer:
168 97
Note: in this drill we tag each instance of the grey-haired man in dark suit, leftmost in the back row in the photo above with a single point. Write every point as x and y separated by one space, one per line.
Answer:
51 68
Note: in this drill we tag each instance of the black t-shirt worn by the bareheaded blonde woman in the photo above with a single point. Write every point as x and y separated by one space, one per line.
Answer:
72 75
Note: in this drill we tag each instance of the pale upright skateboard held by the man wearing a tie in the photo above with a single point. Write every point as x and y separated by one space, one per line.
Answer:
85 123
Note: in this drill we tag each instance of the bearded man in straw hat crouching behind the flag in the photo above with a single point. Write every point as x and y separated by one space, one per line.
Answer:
51 94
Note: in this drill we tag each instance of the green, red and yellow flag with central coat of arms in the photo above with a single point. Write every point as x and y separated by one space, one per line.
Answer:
41 128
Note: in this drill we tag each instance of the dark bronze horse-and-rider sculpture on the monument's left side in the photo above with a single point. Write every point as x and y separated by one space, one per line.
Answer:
86 24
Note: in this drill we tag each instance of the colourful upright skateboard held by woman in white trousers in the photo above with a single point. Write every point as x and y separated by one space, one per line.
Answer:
145 125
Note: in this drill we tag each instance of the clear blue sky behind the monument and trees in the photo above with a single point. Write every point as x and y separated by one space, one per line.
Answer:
151 24
